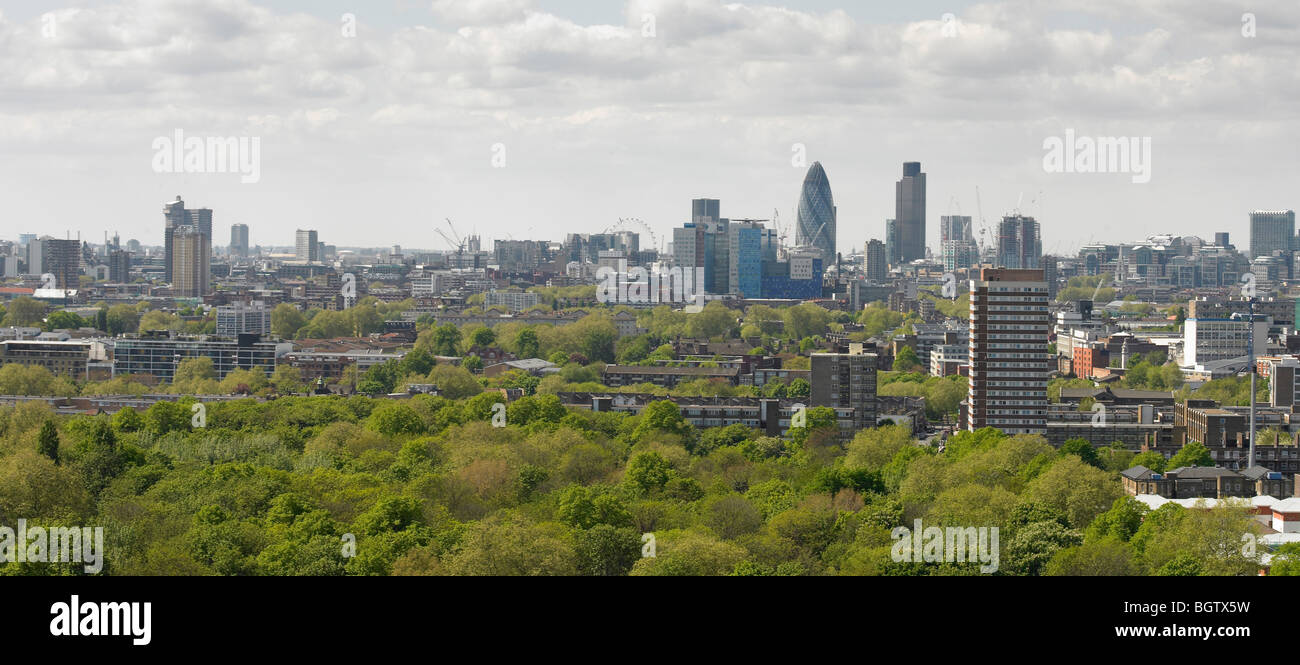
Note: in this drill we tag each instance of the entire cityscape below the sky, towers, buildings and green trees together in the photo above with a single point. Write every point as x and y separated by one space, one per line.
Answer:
742 401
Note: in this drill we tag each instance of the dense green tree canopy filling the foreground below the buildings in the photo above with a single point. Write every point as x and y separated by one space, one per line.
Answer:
430 486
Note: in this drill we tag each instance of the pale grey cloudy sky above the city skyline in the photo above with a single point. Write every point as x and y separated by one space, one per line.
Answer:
534 119
